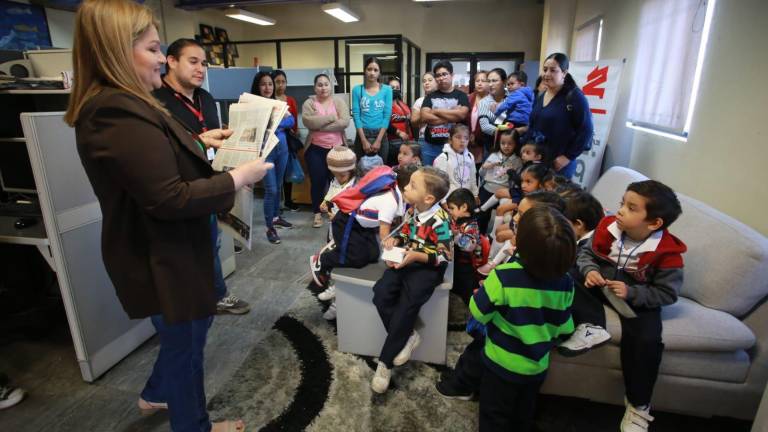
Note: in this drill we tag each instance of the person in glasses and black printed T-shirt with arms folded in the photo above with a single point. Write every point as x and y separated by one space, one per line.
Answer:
440 110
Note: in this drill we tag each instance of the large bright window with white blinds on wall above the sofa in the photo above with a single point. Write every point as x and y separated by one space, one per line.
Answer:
670 52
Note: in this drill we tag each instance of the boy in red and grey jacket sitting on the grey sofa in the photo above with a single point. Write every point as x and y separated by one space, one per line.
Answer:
631 258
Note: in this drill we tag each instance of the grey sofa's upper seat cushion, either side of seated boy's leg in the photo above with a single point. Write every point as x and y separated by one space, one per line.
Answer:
689 326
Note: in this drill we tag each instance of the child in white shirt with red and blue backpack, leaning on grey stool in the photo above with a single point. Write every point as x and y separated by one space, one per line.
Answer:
365 210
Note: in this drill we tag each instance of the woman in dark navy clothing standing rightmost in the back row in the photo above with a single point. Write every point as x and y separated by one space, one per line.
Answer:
561 115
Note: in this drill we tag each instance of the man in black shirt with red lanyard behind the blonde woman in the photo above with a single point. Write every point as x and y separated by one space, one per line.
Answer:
195 108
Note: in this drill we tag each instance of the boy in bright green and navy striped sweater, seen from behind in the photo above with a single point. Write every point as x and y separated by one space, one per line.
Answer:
526 307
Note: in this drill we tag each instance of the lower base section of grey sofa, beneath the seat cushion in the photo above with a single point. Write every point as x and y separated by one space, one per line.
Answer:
730 366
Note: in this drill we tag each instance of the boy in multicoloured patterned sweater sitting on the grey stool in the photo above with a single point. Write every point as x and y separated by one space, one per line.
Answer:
406 286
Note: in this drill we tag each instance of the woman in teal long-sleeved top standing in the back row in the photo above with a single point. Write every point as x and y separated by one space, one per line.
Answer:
371 110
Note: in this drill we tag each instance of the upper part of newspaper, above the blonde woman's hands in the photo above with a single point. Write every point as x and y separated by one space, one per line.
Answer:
254 120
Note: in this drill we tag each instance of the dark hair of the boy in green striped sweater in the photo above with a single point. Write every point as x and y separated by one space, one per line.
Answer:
545 243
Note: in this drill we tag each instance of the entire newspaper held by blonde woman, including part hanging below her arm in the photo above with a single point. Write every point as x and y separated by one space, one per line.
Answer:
254 121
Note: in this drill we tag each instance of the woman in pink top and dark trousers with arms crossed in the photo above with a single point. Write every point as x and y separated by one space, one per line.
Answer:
326 117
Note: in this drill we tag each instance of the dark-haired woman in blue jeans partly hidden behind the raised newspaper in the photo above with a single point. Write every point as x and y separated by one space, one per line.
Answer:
264 86
